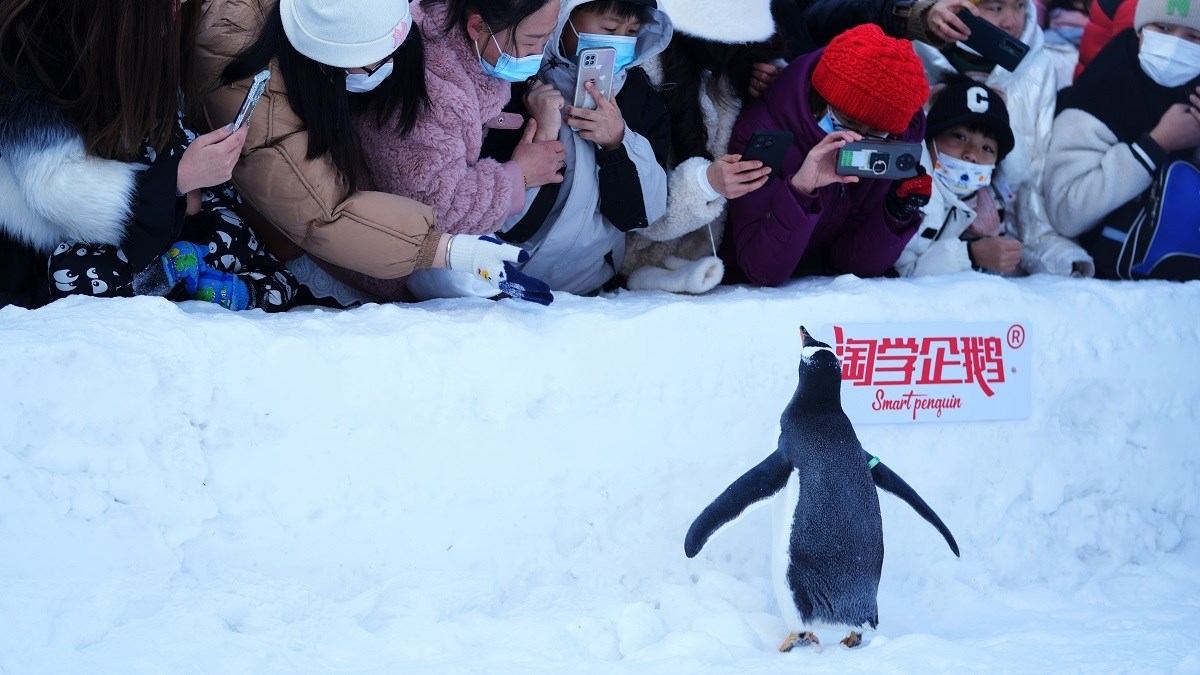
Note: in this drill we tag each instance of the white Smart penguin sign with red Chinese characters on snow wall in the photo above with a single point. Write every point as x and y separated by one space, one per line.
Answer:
944 372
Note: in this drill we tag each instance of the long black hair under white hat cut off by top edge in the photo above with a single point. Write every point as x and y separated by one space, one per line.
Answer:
685 62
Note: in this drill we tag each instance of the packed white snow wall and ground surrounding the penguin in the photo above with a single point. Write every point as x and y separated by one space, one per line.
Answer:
497 487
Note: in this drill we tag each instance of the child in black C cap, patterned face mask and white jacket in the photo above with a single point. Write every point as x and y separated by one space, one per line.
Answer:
970 222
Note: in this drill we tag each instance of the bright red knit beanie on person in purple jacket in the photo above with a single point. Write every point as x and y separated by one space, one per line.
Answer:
877 80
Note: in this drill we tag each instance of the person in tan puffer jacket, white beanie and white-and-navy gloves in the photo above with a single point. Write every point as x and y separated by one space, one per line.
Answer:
301 180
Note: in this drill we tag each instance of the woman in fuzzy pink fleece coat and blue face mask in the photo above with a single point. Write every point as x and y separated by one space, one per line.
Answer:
471 47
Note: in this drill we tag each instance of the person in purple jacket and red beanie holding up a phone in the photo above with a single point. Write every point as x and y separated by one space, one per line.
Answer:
811 222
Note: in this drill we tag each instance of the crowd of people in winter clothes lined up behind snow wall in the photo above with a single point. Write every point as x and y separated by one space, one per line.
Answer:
440 148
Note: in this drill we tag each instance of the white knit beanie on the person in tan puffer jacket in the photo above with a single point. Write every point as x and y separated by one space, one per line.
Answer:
346 34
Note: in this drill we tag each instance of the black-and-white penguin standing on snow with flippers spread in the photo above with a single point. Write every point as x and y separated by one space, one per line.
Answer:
829 545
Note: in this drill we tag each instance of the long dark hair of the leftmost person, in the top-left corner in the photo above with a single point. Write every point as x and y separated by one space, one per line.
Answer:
115 69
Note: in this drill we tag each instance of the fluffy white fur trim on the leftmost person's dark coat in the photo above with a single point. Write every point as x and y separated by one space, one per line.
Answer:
51 190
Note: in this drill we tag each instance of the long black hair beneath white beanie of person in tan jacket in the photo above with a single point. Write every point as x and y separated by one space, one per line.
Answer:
317 93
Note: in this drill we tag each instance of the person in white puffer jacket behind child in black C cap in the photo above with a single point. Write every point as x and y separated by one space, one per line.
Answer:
1030 93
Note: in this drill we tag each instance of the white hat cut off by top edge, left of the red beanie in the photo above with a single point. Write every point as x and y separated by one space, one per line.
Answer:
734 22
